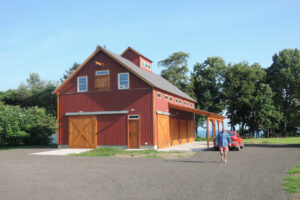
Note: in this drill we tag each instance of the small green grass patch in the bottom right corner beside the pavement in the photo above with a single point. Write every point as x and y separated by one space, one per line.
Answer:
291 183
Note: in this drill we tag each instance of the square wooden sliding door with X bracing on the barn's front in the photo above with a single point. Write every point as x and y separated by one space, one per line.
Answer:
82 131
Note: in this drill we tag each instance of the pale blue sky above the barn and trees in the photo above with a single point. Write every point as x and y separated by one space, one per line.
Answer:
47 37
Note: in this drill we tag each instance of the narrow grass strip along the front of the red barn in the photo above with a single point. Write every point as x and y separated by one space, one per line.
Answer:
138 154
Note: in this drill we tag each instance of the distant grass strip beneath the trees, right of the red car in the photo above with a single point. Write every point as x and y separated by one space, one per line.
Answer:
285 140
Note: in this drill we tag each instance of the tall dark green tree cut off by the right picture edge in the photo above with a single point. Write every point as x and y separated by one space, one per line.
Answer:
284 78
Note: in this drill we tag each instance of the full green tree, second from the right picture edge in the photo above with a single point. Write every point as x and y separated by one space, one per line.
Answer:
240 84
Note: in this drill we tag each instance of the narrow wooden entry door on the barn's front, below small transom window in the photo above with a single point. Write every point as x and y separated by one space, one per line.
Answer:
133 133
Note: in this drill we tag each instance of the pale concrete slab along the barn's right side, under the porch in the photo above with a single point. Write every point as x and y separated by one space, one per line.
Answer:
193 147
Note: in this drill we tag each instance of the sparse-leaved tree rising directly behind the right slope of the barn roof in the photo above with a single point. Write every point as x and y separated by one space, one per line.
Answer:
176 70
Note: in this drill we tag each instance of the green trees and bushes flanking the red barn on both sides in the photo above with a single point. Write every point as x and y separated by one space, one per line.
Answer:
253 98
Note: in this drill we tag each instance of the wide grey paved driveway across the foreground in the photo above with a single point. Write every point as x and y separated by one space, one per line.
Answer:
252 173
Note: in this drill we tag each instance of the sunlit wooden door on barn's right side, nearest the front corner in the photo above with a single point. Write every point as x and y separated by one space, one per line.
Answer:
163 131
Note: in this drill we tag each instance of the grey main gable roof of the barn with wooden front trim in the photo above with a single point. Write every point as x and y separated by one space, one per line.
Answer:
152 79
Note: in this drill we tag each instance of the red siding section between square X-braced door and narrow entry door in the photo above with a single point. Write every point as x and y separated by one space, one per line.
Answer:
112 129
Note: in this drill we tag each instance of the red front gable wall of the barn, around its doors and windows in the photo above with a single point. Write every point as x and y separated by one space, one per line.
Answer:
138 97
